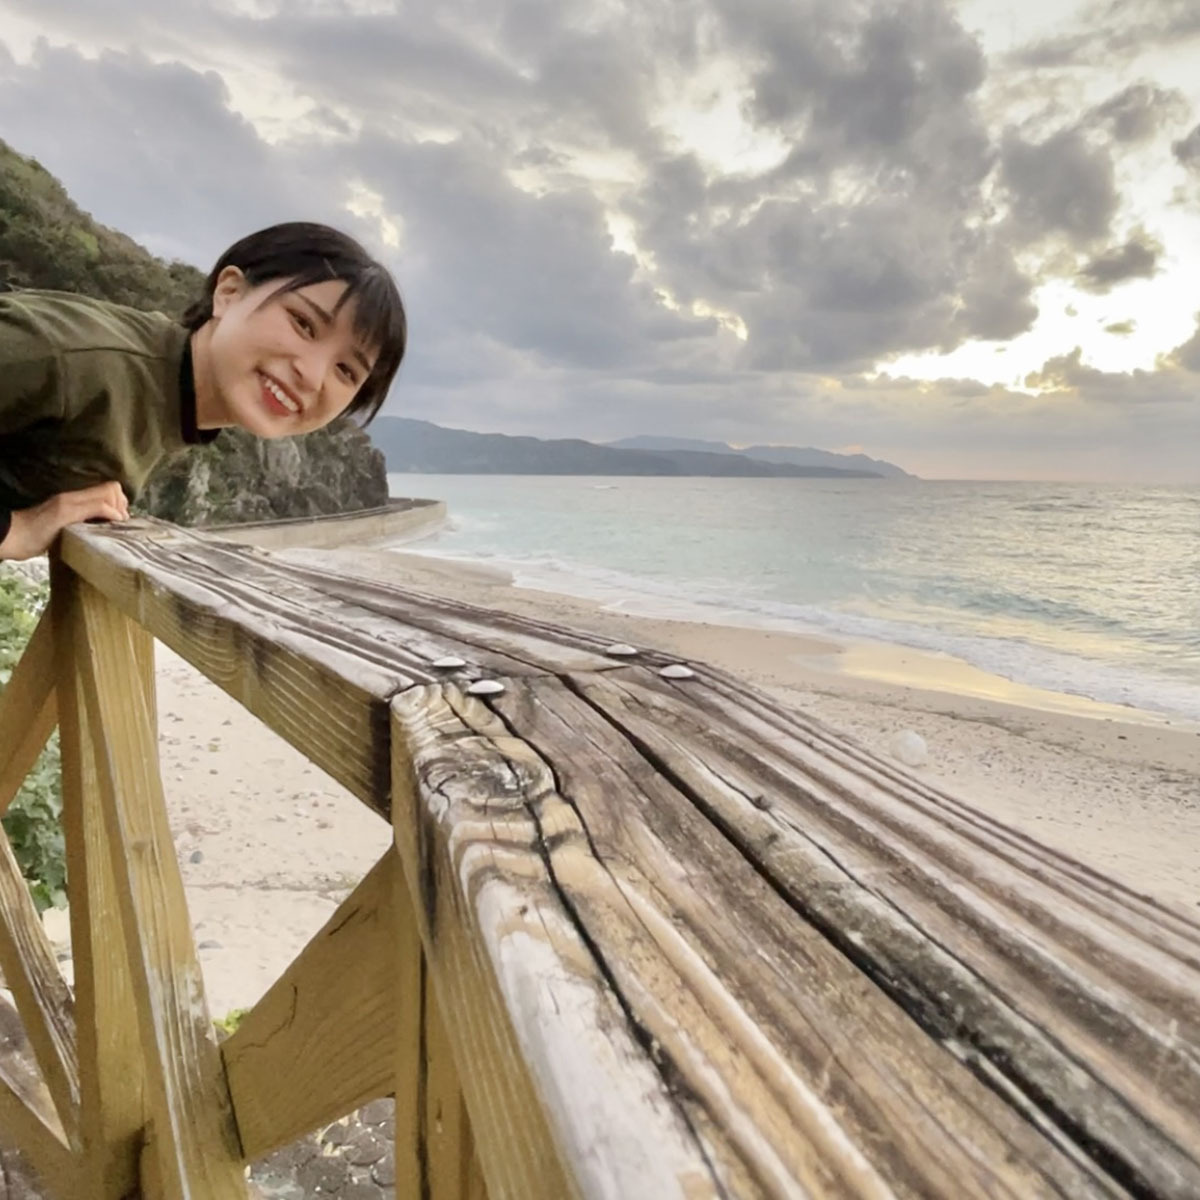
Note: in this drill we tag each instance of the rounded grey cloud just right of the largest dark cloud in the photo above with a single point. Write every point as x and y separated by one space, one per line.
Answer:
1063 185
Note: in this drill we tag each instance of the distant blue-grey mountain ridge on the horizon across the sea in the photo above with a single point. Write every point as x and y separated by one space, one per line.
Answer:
422 447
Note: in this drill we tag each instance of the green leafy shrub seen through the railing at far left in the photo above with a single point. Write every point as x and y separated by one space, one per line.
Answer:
33 821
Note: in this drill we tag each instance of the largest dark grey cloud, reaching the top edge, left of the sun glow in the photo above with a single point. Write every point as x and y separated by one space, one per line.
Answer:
865 241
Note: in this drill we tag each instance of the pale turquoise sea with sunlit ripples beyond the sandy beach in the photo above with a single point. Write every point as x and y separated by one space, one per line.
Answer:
1093 591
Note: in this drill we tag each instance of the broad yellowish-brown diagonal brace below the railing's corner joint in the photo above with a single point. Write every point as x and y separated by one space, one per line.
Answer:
322 1042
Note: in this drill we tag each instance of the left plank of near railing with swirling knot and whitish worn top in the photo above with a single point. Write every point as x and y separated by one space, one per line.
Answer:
563 1097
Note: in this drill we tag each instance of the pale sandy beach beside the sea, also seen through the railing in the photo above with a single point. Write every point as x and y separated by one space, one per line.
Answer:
269 845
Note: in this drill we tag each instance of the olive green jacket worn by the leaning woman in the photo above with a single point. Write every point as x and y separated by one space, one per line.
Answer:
91 392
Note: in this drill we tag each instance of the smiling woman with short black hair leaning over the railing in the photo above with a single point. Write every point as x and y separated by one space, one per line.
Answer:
297 327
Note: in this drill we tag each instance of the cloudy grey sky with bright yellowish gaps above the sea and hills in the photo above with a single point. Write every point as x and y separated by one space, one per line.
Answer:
959 235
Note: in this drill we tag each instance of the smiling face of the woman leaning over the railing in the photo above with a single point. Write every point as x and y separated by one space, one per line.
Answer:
280 364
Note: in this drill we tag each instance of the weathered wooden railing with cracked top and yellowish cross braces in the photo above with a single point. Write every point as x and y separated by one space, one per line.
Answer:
641 934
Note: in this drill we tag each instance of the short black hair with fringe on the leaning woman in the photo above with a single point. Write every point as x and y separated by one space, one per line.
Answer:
302 254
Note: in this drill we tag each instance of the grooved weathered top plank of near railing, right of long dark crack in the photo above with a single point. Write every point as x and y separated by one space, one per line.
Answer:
1082 1024
